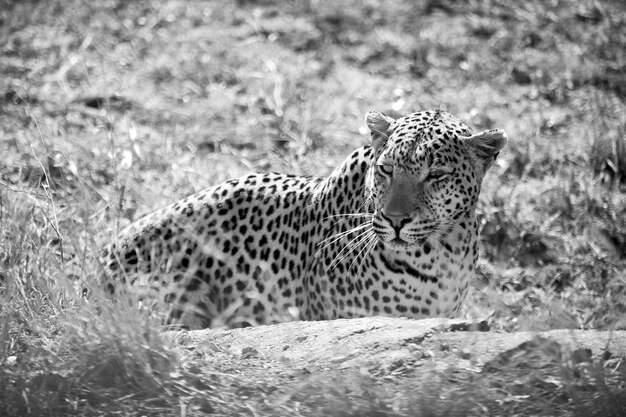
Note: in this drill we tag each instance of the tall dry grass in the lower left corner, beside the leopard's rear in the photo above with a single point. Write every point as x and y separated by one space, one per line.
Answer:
65 354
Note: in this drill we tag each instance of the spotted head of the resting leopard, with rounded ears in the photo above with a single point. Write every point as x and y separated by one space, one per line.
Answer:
426 175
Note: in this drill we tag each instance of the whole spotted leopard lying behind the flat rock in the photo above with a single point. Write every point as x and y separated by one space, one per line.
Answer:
392 231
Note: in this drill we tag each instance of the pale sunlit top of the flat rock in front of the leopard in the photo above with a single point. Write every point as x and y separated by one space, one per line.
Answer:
376 337
